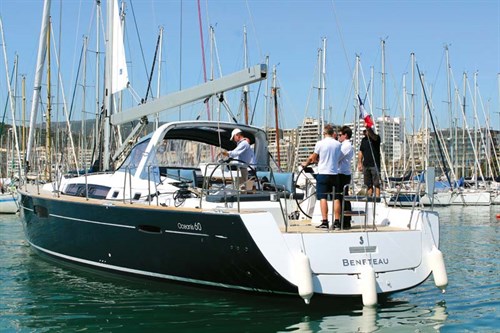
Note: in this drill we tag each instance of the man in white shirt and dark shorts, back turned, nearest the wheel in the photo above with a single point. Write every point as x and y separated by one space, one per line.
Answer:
327 154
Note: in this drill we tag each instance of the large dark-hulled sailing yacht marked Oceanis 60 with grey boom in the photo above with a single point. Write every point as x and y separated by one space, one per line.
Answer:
173 211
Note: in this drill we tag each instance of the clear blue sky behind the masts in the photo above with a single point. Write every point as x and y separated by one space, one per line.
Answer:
290 33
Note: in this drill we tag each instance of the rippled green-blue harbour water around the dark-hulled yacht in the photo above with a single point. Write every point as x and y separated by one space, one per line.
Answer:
40 296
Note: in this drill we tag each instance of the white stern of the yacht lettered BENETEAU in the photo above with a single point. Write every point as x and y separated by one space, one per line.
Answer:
401 255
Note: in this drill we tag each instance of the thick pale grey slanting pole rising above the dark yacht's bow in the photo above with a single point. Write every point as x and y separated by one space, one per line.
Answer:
37 86
